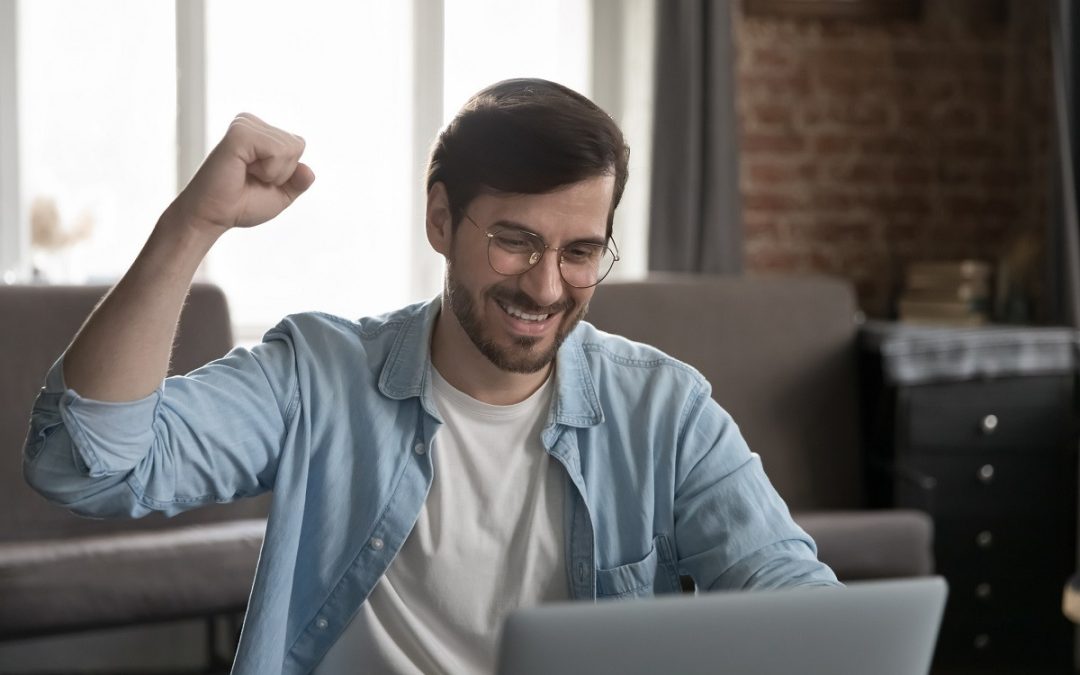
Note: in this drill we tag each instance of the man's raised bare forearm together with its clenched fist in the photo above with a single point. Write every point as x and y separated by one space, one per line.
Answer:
121 354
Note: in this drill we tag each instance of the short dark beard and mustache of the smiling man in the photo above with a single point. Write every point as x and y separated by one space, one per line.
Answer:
522 356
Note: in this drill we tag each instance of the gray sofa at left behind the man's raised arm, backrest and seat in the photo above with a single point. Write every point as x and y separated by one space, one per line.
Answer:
60 573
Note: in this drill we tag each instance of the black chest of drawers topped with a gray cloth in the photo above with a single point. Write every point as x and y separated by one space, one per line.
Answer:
979 429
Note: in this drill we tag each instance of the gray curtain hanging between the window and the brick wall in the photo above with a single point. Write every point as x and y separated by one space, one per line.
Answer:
695 214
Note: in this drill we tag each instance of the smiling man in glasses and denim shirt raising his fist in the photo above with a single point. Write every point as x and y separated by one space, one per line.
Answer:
442 465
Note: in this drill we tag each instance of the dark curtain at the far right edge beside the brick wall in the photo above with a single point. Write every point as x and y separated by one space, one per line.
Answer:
1063 252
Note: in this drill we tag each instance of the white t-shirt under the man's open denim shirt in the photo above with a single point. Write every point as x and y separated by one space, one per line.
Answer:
489 541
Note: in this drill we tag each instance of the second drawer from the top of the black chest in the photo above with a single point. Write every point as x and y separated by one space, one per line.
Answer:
988 485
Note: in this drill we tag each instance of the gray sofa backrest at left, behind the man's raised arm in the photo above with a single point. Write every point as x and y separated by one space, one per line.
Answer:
37 323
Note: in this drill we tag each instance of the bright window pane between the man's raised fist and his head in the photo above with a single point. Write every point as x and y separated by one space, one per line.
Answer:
339 75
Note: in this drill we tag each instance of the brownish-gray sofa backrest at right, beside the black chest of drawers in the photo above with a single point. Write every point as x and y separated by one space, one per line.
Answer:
780 354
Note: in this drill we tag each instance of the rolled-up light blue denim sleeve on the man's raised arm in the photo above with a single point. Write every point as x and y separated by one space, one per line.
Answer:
212 436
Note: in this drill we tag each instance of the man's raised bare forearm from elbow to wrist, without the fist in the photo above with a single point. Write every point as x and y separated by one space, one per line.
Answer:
123 353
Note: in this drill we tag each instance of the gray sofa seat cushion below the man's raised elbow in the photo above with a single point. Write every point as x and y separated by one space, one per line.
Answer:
74 584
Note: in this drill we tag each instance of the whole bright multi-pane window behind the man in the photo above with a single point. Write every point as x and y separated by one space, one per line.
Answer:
367 84
